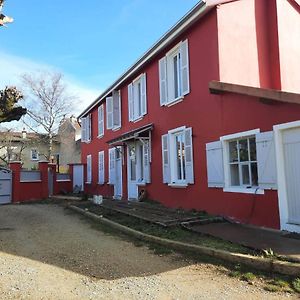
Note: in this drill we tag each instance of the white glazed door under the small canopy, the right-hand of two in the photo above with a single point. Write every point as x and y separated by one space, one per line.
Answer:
132 172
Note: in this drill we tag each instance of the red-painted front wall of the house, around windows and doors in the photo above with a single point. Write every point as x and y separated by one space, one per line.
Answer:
210 116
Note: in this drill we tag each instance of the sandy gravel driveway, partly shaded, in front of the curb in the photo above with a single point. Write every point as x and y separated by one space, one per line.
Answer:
48 253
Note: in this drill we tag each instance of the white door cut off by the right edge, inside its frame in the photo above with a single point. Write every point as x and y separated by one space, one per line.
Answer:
291 149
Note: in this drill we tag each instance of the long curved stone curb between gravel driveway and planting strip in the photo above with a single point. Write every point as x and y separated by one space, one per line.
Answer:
264 264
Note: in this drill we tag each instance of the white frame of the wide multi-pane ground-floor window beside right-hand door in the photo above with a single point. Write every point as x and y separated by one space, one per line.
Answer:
225 140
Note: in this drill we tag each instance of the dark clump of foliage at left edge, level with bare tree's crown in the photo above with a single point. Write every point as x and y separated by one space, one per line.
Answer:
8 99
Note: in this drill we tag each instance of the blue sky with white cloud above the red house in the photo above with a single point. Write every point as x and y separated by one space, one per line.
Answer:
91 44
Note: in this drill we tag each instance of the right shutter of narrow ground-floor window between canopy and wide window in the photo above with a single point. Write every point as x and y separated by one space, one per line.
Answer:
188 156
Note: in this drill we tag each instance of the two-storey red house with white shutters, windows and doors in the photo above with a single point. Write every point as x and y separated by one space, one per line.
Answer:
207 117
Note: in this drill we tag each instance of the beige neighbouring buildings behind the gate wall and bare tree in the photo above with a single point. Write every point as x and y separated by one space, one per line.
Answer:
30 147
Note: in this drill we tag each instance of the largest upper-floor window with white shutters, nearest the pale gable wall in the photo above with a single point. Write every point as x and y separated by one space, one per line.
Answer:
174 80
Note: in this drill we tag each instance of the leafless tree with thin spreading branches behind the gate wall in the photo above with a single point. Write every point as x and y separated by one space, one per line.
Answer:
47 103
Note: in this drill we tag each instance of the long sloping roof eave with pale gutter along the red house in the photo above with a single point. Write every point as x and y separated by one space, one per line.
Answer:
197 12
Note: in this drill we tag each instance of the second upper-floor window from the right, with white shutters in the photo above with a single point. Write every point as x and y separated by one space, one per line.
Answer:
137 98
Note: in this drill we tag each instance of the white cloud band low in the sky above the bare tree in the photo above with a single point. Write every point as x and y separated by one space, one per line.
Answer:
12 67
